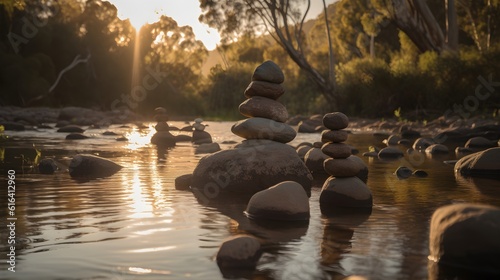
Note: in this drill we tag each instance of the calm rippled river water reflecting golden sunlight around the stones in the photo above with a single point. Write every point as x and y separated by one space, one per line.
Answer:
136 225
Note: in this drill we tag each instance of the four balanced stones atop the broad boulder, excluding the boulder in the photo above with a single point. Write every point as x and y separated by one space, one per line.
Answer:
266 116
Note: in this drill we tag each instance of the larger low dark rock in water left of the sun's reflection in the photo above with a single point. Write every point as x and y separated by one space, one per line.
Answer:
90 166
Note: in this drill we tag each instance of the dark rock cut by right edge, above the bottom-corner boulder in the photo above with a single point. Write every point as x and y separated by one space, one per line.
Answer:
481 164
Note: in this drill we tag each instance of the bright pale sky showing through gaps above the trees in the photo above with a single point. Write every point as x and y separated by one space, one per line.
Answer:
184 12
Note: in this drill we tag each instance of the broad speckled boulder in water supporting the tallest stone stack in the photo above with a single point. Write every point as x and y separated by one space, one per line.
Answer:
250 167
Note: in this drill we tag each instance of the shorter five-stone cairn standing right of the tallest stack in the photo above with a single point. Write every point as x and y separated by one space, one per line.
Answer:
342 189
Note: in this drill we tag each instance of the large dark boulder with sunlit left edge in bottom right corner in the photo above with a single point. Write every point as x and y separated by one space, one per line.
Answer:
466 236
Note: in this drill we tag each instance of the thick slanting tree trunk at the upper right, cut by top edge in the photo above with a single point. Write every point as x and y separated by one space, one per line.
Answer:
415 19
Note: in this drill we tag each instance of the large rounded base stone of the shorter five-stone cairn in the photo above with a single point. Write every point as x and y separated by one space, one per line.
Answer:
349 192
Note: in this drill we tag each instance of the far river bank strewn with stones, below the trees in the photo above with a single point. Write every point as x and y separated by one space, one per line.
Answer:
17 118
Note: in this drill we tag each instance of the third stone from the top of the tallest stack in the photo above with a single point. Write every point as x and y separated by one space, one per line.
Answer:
263 107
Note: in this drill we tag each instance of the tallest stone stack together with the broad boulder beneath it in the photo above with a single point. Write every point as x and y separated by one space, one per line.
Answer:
262 159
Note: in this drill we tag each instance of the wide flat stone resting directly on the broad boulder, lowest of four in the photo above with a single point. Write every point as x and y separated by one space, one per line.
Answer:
261 128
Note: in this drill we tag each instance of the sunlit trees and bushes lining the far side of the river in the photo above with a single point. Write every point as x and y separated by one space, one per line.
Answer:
79 53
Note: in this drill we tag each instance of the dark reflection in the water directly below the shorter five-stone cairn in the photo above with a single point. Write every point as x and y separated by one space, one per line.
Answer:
338 231
